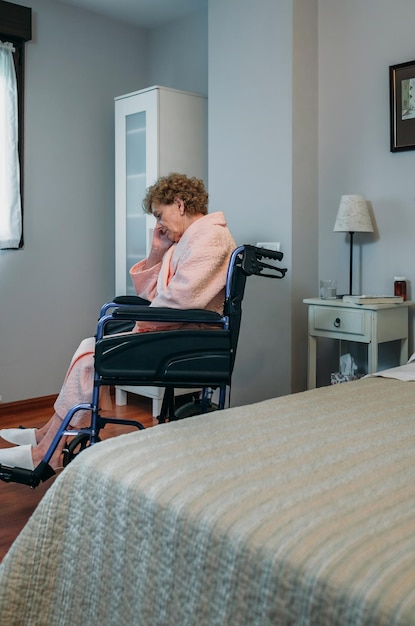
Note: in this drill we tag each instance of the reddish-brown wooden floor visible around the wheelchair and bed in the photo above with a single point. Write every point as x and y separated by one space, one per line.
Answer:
17 502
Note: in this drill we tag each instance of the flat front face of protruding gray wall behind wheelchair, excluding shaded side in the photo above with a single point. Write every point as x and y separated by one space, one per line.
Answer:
250 173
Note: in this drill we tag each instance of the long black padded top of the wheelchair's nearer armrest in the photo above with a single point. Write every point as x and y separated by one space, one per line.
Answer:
166 314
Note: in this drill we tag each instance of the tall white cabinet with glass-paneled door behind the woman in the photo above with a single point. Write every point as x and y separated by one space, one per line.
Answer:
157 131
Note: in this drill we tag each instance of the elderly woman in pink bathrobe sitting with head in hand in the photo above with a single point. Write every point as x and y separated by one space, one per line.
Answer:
186 268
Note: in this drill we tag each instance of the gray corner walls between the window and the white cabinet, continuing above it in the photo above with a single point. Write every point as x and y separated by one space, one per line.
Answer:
51 291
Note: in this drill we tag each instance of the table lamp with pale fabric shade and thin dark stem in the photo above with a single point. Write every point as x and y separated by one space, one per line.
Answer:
353 216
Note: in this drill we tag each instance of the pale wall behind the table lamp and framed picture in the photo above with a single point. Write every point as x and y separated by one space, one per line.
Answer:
358 41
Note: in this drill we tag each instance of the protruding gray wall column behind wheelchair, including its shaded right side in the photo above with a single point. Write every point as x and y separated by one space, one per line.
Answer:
263 173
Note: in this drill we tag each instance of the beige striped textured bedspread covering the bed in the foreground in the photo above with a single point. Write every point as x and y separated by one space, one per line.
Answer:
298 510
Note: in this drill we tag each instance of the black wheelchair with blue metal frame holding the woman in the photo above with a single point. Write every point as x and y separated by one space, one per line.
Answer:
200 357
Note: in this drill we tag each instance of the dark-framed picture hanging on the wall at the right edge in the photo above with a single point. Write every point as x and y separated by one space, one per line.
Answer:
402 106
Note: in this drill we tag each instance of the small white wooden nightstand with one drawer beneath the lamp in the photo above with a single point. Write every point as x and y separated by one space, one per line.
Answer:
370 324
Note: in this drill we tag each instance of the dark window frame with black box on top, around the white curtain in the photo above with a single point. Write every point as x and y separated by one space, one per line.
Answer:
16 28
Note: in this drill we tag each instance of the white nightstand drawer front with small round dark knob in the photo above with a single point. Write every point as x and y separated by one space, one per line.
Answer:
347 321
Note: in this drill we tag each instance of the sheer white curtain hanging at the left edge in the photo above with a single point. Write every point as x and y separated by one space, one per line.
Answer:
10 203
